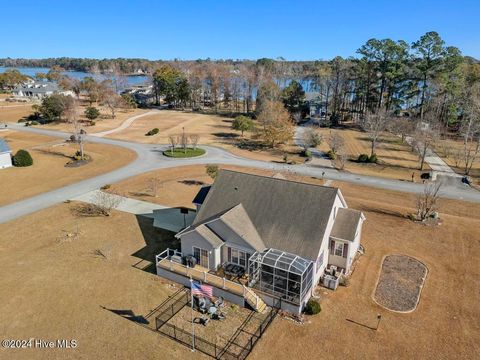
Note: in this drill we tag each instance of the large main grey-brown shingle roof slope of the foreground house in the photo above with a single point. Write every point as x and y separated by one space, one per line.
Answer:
288 216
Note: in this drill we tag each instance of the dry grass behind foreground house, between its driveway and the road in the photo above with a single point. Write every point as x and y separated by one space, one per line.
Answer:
178 186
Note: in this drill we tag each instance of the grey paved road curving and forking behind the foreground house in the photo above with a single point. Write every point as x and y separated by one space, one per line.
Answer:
150 158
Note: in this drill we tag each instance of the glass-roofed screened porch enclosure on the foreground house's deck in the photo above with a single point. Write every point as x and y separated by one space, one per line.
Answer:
281 274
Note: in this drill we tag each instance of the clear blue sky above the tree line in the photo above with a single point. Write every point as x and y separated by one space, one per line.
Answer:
247 29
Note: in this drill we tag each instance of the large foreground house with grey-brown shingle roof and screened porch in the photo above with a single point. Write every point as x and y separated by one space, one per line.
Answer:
283 233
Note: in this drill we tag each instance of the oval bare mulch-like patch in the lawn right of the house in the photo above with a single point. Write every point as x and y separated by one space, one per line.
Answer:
400 283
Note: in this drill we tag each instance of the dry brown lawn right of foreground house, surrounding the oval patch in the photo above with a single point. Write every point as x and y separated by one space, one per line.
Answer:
445 323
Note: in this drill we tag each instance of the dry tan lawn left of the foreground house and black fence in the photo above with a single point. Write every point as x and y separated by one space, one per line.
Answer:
55 287
